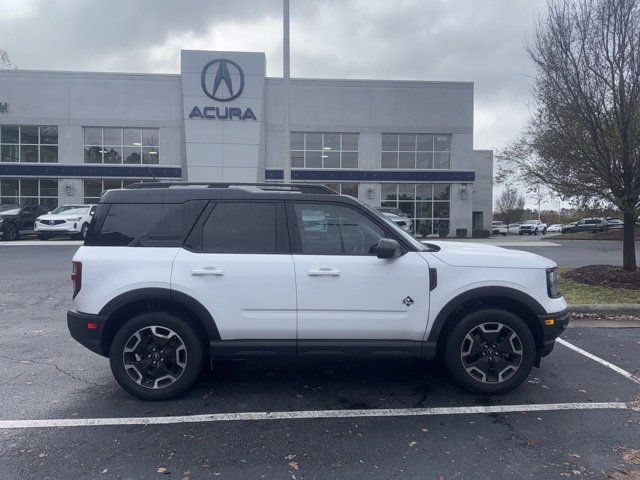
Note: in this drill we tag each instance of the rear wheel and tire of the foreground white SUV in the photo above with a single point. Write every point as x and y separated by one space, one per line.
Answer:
187 358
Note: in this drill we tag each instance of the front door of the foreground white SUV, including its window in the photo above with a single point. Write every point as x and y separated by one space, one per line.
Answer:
347 296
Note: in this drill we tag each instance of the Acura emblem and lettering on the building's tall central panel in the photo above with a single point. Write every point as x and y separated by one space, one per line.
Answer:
222 80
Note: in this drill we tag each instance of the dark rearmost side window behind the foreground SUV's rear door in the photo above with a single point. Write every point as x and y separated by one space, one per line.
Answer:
143 225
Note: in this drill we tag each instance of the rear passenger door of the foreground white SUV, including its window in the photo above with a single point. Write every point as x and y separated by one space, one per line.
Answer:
237 263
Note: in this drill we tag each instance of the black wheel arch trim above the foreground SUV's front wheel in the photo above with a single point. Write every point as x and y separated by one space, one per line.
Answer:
479 294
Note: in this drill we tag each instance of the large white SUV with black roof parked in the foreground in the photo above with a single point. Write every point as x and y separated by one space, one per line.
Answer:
172 277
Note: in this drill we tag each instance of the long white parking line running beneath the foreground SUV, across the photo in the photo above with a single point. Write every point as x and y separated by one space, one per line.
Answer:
309 414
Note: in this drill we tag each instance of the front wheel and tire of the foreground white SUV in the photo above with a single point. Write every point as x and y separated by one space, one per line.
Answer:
464 338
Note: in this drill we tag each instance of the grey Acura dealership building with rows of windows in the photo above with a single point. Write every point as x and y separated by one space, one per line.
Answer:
67 136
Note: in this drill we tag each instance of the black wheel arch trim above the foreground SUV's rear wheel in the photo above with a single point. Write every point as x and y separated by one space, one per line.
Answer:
149 294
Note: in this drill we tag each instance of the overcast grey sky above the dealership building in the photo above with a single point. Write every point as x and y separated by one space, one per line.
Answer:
470 40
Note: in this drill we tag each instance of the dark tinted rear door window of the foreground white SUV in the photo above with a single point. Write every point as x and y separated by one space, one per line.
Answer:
247 227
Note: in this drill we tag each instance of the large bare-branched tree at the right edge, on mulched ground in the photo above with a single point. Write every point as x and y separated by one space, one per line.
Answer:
584 136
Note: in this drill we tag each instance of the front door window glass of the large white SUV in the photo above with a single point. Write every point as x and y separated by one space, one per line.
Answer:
326 229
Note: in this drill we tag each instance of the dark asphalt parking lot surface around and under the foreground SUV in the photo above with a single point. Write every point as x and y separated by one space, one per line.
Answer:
46 375
